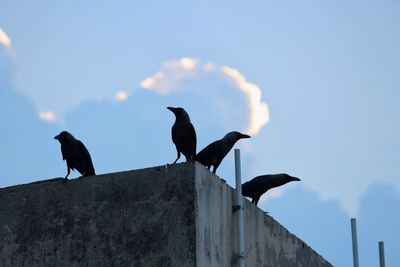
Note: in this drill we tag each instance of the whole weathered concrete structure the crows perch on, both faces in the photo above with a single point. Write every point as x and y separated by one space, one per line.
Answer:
173 215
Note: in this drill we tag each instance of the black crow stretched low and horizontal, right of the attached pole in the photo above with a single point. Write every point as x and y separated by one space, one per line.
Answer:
261 184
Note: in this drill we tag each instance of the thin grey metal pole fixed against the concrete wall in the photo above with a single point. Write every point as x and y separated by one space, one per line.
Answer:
239 204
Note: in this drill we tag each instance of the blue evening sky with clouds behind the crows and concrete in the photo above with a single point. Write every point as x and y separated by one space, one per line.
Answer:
315 83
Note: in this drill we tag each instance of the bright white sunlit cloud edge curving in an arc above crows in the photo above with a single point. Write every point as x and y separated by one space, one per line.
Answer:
167 79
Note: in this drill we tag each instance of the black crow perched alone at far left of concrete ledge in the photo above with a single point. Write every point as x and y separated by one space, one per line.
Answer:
76 154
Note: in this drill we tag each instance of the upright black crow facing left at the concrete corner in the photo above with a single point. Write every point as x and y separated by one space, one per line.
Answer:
183 134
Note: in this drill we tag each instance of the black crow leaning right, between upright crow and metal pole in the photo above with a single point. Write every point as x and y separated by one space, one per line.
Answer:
214 153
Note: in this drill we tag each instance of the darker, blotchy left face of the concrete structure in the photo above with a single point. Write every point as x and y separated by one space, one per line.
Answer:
137 218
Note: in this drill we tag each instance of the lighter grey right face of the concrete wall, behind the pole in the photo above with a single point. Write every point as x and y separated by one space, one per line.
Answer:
267 243
